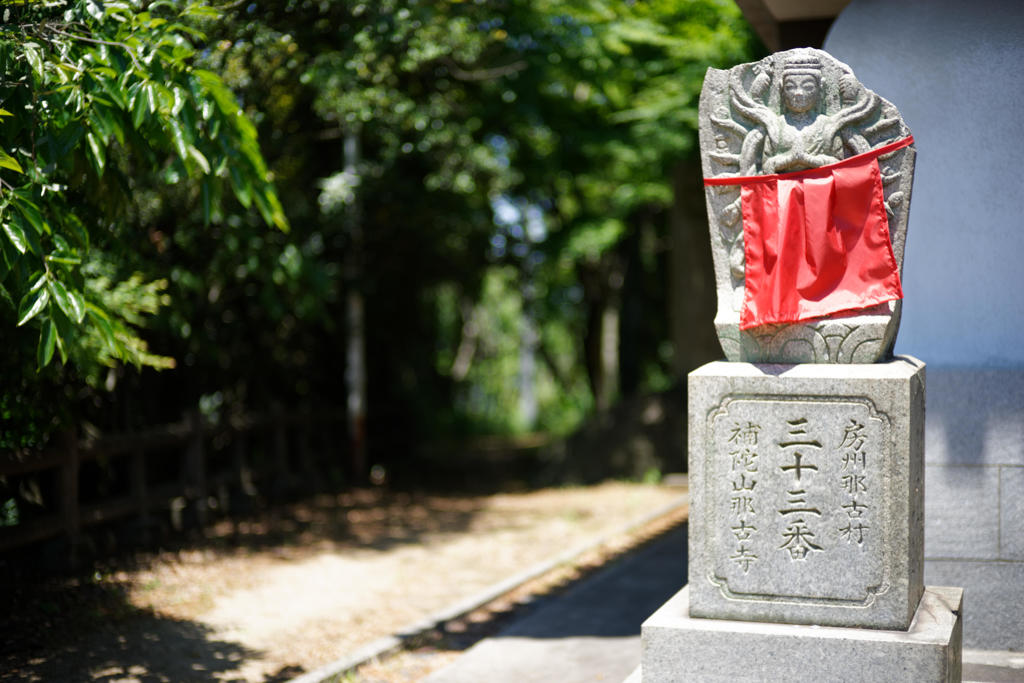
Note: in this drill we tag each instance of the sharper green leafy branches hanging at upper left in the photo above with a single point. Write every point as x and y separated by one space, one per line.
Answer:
102 103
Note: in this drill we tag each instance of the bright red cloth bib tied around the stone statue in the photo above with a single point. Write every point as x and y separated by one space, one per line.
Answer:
817 242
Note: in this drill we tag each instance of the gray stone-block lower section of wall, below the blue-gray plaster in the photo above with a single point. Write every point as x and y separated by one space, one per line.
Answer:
974 453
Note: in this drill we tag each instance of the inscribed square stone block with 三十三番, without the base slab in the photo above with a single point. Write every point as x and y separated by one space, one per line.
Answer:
806 490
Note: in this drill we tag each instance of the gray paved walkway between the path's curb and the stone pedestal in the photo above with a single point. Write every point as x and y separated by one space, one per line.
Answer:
592 632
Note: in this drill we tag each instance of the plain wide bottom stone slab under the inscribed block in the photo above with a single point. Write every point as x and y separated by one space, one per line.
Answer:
676 648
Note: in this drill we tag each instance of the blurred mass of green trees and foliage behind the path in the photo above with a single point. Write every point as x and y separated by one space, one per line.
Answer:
488 215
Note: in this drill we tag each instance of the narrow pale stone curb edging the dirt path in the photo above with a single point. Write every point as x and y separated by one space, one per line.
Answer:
383 647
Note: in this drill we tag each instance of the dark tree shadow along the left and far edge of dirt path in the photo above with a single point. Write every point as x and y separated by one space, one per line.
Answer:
60 627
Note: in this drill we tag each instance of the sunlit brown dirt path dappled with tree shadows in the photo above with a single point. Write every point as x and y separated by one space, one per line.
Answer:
270 600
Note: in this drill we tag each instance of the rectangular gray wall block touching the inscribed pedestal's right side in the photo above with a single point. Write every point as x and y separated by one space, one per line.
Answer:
963 507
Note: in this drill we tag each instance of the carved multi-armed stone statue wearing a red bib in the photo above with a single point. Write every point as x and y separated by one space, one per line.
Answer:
802 118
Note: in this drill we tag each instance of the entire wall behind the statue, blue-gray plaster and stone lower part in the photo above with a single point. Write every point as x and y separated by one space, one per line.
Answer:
956 71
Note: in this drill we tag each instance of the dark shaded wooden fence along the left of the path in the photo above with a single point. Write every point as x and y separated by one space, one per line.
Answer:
187 469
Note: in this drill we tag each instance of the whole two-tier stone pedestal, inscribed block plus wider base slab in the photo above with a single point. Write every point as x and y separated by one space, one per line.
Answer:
806 533
